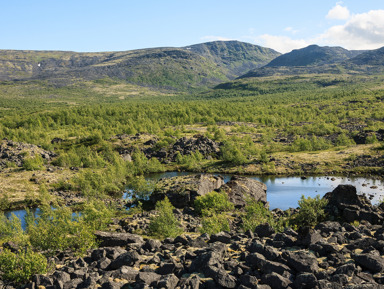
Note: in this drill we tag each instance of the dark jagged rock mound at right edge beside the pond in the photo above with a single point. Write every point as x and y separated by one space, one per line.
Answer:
345 204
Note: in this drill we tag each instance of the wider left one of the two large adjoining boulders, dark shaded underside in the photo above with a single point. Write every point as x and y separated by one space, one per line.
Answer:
183 190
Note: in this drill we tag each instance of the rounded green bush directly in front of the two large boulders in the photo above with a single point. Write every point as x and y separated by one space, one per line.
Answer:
214 202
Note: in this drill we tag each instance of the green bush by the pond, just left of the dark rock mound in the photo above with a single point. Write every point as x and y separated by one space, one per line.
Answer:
311 211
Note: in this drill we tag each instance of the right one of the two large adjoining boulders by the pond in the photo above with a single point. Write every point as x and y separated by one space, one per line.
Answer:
239 189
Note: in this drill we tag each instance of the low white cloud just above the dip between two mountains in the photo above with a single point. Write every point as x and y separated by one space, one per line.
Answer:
283 44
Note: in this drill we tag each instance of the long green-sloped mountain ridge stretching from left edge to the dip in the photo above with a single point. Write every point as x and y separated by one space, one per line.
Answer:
191 67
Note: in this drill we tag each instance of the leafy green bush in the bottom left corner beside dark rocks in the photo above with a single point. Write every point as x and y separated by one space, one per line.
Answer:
20 267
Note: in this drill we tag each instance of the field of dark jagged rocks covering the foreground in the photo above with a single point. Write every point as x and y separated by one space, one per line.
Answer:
337 259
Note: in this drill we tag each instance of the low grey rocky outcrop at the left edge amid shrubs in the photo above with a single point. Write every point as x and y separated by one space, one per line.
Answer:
16 152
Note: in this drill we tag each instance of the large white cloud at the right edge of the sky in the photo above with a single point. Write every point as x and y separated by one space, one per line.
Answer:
361 31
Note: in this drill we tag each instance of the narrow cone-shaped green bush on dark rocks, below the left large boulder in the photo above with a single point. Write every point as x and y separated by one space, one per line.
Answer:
165 223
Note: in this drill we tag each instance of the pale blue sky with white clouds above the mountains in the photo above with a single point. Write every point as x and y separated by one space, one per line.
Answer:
118 25
